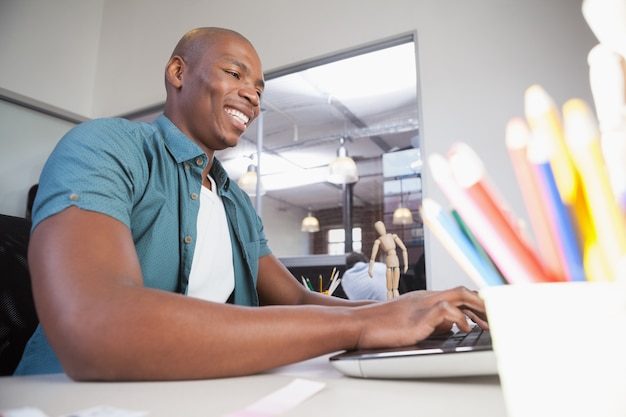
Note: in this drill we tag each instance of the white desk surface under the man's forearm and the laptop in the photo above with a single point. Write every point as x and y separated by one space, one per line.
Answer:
57 395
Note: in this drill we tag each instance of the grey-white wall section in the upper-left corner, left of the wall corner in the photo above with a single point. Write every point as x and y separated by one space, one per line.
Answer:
50 50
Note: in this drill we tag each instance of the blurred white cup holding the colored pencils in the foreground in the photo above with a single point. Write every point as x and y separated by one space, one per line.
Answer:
560 347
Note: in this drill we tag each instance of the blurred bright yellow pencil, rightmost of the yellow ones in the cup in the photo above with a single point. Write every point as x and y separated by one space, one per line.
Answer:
583 140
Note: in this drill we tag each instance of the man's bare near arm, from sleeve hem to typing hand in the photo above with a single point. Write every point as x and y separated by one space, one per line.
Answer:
105 325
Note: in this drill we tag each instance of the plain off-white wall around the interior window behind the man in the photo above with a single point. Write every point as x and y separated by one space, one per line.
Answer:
476 59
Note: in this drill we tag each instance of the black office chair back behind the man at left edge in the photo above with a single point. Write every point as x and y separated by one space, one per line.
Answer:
18 318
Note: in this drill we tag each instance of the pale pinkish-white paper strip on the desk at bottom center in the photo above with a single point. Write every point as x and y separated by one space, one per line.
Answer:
281 400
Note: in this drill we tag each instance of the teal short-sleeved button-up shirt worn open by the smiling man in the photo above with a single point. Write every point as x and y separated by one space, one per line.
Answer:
149 177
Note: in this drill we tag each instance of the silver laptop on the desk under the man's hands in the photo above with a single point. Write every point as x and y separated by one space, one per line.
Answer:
453 354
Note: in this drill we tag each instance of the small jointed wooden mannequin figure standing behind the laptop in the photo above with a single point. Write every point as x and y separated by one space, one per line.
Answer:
389 242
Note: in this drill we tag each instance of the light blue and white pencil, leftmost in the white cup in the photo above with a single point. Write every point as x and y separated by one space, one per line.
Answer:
445 228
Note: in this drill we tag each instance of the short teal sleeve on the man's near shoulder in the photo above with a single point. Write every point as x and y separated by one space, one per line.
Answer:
95 167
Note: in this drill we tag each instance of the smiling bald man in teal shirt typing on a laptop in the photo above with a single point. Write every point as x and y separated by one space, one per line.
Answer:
149 263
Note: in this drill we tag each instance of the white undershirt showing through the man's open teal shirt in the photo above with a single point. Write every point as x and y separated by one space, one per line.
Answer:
212 274
